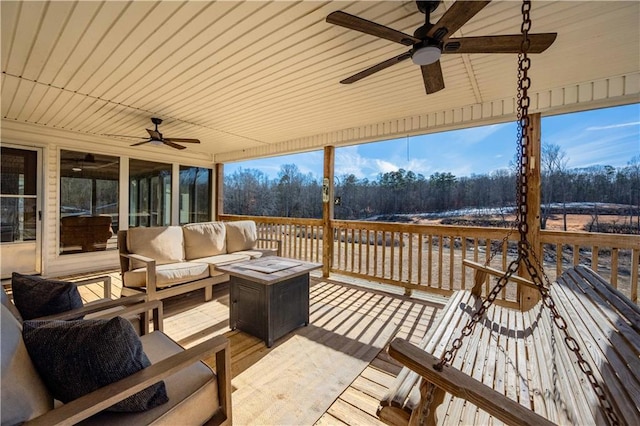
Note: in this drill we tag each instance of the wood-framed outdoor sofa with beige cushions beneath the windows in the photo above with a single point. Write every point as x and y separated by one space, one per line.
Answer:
170 260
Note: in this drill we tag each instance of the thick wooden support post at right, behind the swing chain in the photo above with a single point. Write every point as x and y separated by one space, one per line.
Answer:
530 296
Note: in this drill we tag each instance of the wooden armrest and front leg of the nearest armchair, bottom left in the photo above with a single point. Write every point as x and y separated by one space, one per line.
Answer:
100 399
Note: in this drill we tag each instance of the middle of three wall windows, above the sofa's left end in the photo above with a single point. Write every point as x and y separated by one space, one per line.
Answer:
149 193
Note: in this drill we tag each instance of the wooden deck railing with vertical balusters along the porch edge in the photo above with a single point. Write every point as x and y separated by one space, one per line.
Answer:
429 257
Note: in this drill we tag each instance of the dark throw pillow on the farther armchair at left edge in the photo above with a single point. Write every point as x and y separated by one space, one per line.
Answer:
38 297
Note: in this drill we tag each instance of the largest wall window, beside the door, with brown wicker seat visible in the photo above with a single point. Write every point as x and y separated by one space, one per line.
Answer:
88 201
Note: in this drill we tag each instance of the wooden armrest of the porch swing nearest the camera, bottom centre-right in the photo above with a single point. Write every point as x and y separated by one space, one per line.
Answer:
463 386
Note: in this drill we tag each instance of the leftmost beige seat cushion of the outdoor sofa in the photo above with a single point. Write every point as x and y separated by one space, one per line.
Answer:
168 274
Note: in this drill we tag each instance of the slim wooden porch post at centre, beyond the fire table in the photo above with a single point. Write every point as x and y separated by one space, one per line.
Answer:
327 210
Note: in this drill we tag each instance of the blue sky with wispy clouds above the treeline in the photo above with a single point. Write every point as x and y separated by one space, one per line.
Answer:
608 136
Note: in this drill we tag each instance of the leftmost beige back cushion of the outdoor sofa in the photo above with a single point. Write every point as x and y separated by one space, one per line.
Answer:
165 244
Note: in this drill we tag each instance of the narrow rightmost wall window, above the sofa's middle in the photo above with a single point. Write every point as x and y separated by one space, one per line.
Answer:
195 194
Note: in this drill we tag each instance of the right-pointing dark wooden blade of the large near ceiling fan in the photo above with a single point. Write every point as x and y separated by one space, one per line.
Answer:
499 44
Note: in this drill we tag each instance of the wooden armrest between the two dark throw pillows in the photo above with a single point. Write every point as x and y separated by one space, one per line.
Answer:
132 305
